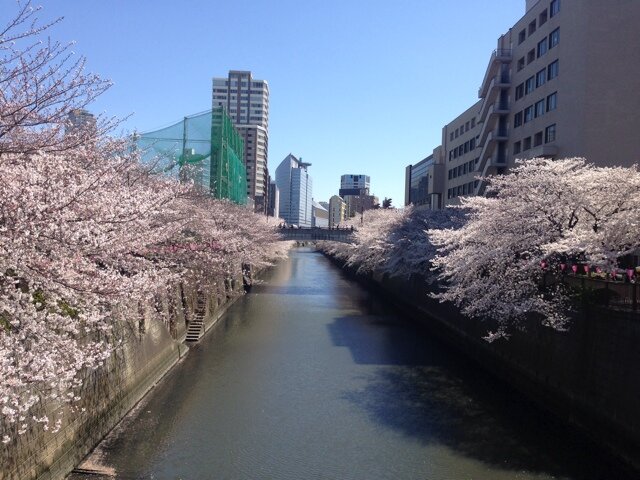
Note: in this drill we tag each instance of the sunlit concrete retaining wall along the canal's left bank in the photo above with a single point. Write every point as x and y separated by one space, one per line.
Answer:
153 344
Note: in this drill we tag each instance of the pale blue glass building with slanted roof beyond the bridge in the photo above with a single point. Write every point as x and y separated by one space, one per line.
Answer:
294 183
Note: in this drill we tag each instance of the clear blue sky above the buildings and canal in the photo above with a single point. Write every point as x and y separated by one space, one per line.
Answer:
357 86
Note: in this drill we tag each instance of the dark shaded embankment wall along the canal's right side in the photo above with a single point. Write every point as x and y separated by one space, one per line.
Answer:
586 376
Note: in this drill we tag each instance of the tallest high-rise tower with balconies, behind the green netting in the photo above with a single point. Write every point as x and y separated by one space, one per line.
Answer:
246 101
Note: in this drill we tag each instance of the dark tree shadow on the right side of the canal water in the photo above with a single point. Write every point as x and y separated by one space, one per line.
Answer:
437 397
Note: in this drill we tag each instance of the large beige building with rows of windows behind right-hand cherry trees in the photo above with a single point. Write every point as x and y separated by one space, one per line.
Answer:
562 82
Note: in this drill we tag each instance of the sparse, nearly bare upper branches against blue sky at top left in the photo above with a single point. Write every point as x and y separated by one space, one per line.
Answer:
41 81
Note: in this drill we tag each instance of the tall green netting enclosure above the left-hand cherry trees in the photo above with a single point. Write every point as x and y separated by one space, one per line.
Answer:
205 148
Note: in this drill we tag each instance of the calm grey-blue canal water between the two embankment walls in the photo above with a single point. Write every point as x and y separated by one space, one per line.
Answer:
311 377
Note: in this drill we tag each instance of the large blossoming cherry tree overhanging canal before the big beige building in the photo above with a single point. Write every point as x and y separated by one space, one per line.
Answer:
544 211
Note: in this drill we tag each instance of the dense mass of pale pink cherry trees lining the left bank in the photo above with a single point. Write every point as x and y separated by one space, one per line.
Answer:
85 228
